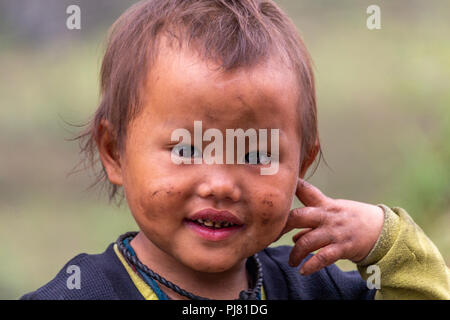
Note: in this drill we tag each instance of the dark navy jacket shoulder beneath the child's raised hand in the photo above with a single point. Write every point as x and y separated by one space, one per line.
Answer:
285 282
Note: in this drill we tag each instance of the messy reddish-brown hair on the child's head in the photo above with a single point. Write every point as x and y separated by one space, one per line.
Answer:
235 33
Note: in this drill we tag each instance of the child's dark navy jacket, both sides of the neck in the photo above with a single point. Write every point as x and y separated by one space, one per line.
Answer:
103 277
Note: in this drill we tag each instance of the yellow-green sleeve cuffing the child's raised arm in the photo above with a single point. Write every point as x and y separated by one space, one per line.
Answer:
410 265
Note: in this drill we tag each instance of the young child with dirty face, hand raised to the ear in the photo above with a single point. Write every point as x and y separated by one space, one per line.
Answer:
205 226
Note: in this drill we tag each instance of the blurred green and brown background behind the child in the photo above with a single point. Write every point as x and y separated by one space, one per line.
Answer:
384 110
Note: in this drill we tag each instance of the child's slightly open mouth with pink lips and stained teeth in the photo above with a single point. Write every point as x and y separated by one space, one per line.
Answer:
214 225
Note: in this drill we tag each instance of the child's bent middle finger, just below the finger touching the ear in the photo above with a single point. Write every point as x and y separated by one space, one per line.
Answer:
306 217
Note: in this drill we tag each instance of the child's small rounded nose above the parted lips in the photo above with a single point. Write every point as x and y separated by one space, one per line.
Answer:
219 185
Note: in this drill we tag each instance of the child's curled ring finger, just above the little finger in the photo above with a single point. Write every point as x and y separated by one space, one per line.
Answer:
311 241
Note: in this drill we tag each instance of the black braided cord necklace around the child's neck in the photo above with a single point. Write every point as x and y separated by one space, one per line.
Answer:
253 265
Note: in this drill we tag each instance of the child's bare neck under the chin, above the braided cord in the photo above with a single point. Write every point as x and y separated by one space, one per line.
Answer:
231 282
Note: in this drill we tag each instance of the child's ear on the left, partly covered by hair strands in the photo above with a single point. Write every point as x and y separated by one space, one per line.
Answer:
109 155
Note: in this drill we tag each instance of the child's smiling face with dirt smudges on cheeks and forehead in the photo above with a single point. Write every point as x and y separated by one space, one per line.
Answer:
163 196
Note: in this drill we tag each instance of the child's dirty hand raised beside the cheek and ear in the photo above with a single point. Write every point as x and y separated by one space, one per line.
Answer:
344 229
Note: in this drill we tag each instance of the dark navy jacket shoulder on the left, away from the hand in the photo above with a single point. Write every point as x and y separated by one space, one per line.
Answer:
88 277
